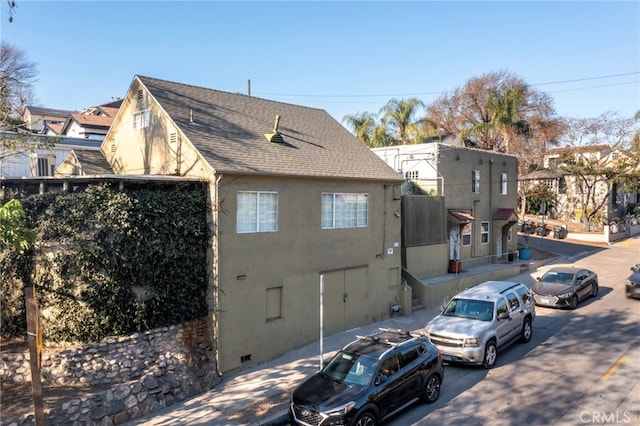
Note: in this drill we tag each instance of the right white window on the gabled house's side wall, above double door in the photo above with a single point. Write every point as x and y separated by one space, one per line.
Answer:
344 210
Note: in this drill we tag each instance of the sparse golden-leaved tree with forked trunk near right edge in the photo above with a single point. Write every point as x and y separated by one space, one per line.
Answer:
597 176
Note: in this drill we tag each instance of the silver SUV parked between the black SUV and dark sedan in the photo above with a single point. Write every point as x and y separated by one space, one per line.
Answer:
481 320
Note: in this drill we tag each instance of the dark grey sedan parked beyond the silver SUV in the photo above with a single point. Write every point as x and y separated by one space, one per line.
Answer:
565 287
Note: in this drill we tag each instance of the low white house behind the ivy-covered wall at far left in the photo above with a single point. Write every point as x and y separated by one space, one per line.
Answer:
41 162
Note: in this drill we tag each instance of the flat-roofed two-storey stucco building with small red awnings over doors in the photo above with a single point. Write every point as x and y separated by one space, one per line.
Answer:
469 213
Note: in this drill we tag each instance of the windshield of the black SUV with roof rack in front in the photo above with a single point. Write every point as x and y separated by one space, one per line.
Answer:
350 368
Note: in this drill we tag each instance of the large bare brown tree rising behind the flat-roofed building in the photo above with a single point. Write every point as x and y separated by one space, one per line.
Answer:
499 111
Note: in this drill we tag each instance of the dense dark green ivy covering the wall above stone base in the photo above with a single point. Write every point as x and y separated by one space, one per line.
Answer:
110 262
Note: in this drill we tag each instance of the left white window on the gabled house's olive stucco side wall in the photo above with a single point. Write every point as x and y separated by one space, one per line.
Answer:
257 212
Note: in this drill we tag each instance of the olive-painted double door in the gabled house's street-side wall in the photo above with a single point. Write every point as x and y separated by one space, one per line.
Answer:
345 299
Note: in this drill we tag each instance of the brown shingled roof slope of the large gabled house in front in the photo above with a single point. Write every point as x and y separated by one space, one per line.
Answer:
228 130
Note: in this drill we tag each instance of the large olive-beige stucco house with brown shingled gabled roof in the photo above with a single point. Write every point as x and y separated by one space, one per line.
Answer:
298 204
